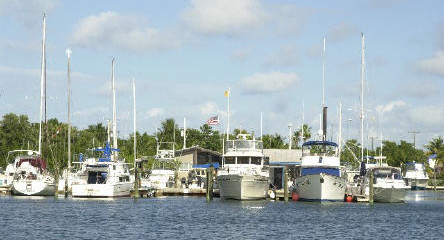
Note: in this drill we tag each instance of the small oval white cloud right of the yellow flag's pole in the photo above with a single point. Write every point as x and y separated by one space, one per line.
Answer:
268 82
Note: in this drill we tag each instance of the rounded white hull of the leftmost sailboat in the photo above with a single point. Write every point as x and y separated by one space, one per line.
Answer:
33 188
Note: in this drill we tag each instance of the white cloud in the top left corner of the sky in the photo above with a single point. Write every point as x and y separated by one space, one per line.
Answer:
27 11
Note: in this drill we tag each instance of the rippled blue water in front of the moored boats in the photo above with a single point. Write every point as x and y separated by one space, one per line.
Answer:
421 217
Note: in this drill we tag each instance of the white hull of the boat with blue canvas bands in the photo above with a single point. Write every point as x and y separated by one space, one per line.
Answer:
321 187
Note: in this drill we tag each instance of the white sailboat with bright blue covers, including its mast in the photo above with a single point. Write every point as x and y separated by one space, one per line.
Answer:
105 176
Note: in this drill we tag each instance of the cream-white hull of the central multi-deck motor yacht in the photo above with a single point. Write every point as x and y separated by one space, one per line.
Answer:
243 187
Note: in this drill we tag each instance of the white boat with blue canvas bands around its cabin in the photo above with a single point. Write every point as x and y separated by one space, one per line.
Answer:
321 177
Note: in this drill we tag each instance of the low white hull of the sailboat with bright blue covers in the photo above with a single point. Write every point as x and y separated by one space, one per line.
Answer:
102 190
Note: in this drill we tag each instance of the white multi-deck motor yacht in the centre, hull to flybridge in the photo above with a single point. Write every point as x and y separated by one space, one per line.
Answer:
243 175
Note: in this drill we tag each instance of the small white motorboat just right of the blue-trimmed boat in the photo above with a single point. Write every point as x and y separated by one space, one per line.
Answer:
388 184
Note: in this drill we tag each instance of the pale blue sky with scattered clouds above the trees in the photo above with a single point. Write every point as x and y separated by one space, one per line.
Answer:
184 55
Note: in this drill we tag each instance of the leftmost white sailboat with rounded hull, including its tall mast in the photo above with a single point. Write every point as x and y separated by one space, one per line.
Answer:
31 178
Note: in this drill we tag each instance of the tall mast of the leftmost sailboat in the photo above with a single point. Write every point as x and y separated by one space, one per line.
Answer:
42 83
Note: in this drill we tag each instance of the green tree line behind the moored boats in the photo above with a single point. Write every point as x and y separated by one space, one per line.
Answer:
17 132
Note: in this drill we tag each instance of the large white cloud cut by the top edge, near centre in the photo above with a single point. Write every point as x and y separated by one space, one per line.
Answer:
226 17
